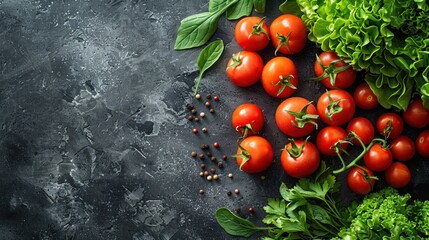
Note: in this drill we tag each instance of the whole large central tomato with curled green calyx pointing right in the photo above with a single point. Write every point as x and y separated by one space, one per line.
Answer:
296 117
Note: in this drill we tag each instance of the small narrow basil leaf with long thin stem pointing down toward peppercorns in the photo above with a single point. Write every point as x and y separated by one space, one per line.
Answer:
208 56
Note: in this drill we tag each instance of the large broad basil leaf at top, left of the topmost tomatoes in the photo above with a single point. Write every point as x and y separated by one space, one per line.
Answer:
196 30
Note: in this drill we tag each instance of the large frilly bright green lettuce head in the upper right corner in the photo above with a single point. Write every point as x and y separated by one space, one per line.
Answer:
388 39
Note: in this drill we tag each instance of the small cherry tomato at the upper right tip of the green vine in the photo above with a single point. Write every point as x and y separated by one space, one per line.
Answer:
390 120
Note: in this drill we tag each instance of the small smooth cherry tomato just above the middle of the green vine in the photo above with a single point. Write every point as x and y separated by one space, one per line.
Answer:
363 128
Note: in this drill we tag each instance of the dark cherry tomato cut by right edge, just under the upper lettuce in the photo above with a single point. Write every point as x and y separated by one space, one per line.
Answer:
416 115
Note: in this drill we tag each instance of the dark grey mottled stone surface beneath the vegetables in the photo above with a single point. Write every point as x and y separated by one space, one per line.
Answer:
94 141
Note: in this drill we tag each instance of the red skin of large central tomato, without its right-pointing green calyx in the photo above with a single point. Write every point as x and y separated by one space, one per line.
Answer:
286 122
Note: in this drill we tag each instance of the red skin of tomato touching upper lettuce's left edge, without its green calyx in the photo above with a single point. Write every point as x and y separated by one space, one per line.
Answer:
343 79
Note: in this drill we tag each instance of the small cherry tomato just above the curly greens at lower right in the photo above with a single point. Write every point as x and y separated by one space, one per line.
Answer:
398 175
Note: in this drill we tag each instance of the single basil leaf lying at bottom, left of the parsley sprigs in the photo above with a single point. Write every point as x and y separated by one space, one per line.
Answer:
235 225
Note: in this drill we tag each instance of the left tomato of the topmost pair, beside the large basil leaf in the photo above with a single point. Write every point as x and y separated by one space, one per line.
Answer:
252 33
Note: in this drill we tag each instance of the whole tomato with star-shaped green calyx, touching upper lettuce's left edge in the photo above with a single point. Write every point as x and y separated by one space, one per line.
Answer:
336 73
